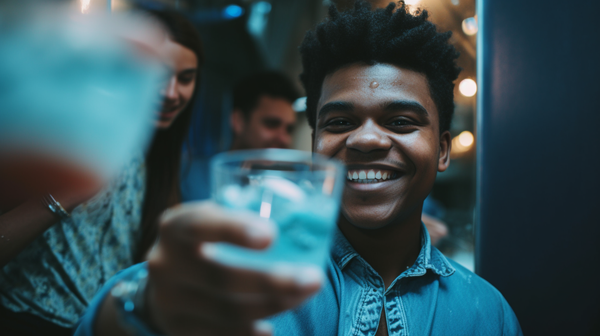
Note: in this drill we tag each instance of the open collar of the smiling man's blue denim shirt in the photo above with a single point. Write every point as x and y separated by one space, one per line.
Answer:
430 258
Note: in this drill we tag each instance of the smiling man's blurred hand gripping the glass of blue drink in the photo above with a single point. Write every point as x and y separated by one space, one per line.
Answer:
190 294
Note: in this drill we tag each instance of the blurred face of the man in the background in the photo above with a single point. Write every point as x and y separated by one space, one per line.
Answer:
270 125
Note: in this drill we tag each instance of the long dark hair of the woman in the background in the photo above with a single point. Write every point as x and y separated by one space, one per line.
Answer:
163 159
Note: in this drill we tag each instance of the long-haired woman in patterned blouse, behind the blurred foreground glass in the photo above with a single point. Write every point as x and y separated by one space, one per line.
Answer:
53 264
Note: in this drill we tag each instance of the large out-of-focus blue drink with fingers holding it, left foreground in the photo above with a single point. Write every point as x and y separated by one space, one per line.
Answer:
77 95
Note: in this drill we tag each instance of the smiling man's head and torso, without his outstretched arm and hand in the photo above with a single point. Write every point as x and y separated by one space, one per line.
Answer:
380 99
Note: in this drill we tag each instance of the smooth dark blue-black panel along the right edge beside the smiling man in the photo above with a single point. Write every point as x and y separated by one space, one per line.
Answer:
538 233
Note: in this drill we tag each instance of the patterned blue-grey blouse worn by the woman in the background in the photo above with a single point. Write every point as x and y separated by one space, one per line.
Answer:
57 275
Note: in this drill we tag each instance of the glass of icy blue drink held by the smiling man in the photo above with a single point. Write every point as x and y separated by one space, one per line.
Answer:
299 191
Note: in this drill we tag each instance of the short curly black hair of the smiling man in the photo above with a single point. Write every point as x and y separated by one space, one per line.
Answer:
393 36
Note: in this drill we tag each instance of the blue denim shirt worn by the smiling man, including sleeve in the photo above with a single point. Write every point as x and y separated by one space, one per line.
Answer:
435 296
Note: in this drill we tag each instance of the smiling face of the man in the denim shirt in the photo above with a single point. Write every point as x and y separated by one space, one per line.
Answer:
381 121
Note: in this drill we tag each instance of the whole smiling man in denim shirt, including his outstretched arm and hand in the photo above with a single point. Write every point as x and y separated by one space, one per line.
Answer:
380 99
